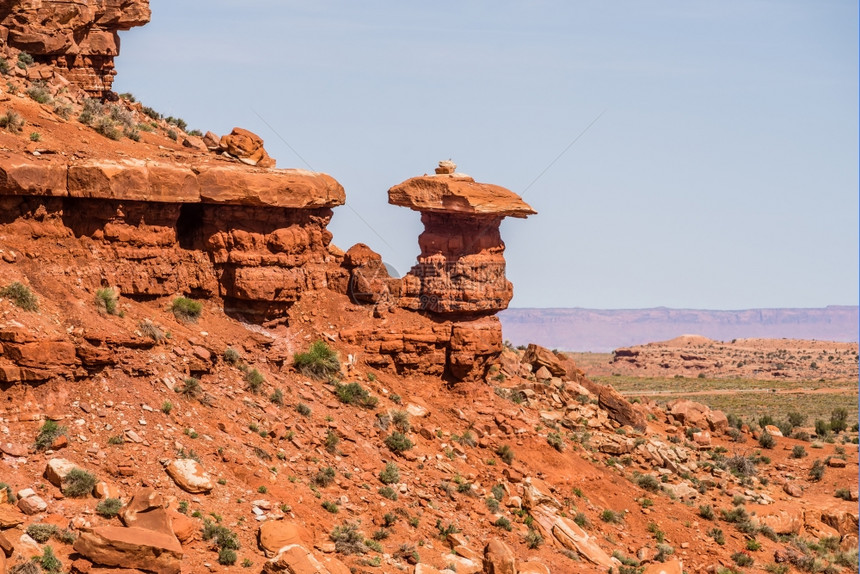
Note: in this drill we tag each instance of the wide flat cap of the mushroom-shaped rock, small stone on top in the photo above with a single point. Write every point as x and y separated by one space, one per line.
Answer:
450 192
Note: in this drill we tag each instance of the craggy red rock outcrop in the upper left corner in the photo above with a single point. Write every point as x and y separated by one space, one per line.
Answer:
79 39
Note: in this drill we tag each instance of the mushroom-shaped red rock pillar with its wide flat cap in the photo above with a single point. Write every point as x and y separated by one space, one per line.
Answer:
461 267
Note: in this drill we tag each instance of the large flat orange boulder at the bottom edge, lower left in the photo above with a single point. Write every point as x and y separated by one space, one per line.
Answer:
131 548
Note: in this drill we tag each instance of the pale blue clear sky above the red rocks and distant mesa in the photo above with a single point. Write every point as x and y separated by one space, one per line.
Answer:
722 173
